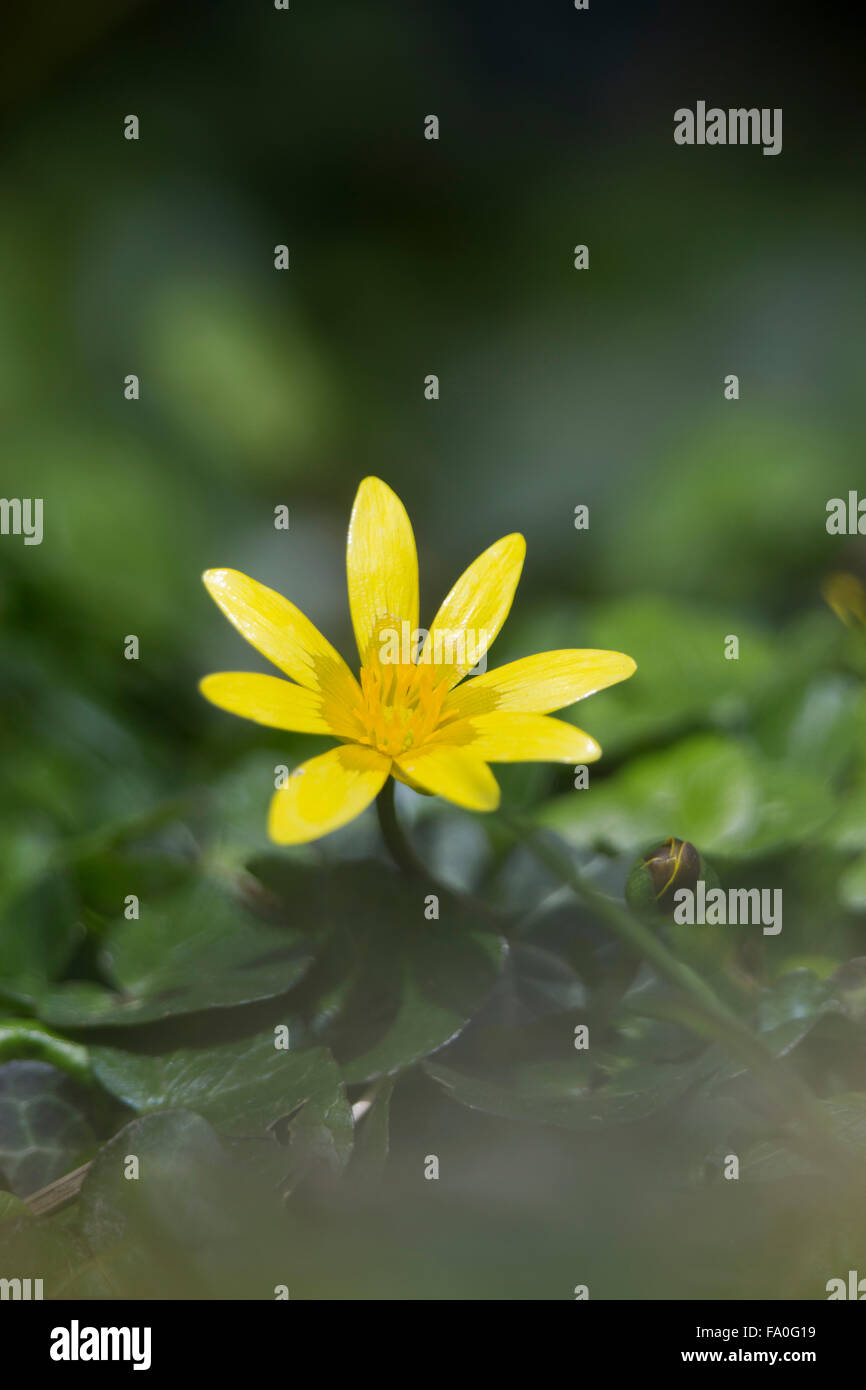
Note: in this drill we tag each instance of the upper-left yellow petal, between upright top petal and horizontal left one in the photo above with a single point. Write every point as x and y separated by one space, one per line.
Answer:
281 633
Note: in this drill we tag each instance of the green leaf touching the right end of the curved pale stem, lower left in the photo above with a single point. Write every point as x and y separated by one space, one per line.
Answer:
241 1089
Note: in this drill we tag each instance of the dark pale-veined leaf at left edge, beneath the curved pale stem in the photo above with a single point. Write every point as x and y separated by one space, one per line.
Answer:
44 1131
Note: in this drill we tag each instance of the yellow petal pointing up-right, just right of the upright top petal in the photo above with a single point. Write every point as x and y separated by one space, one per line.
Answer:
475 611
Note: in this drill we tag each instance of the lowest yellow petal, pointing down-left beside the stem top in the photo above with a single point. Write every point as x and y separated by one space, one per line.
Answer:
327 793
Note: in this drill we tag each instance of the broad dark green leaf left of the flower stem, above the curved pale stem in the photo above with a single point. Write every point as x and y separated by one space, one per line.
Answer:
198 950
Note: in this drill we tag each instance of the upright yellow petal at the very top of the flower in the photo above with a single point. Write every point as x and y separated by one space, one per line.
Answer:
382 565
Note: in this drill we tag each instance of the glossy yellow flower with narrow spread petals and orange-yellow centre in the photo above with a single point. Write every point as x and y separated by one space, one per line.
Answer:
409 718
